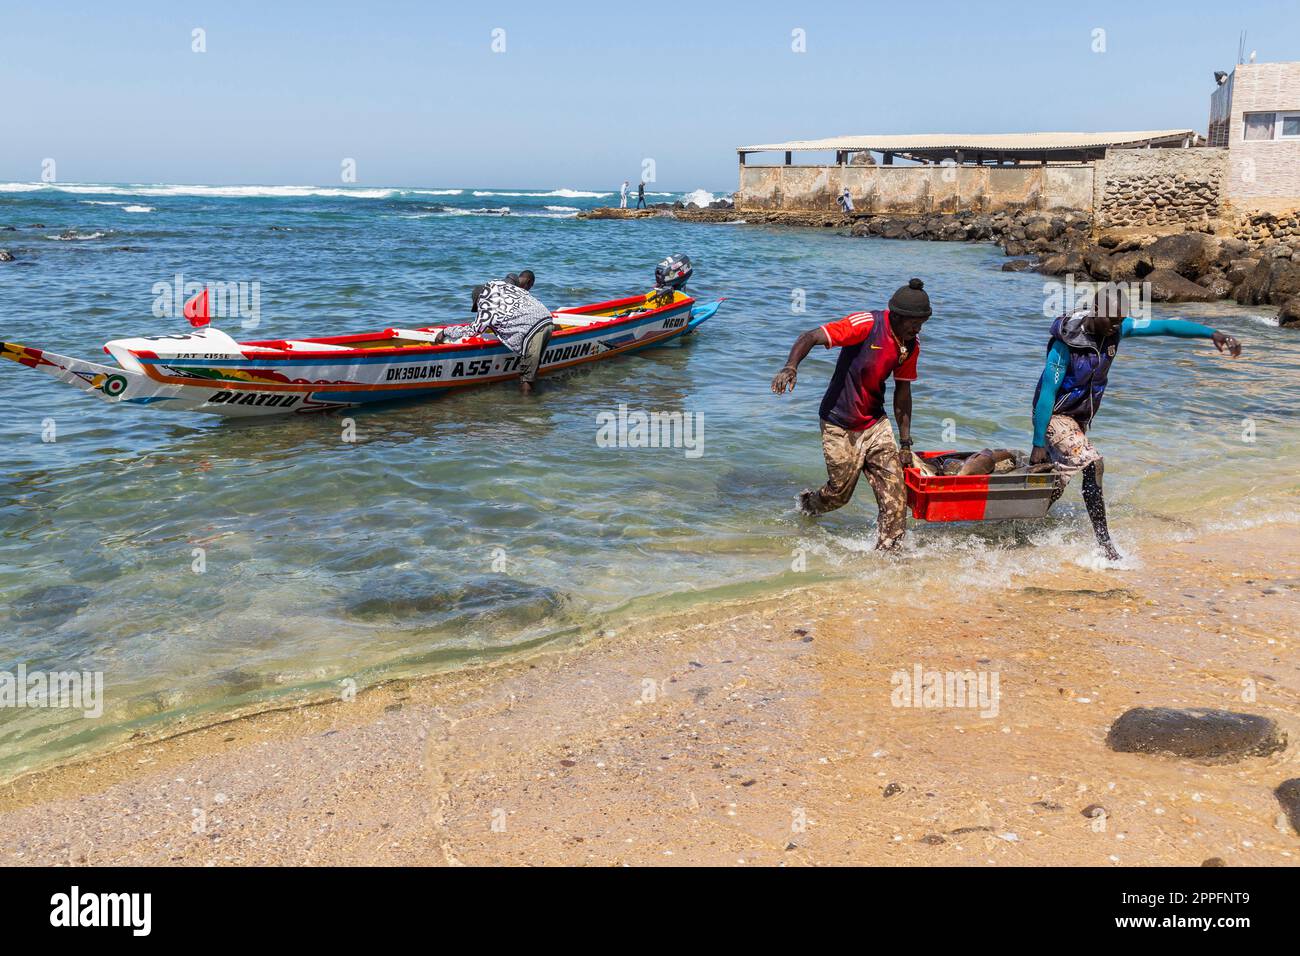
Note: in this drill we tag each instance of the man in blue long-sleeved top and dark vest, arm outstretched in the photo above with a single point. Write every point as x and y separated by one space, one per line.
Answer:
1080 354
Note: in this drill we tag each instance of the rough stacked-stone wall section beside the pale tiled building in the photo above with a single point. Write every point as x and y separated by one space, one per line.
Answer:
1149 188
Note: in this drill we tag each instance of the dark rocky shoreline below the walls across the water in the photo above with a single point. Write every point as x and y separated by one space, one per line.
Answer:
1254 261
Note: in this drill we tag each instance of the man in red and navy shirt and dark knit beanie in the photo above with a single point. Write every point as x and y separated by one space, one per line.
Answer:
856 435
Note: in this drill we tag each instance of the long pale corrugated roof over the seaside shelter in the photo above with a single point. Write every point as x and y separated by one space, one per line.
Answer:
990 142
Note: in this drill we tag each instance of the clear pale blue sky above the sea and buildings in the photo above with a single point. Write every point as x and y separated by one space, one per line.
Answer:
578 94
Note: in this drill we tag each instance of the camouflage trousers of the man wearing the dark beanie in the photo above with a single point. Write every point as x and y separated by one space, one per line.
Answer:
874 453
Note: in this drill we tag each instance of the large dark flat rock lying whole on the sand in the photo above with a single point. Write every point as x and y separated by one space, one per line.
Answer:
1197 733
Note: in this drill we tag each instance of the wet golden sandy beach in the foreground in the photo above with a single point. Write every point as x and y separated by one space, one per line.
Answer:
755 734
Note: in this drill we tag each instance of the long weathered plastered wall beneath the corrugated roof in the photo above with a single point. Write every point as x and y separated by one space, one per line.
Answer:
915 191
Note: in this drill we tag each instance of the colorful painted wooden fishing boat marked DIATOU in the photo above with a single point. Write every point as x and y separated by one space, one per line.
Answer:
207 371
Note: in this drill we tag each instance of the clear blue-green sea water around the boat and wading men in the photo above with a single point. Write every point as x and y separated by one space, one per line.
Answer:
486 525
